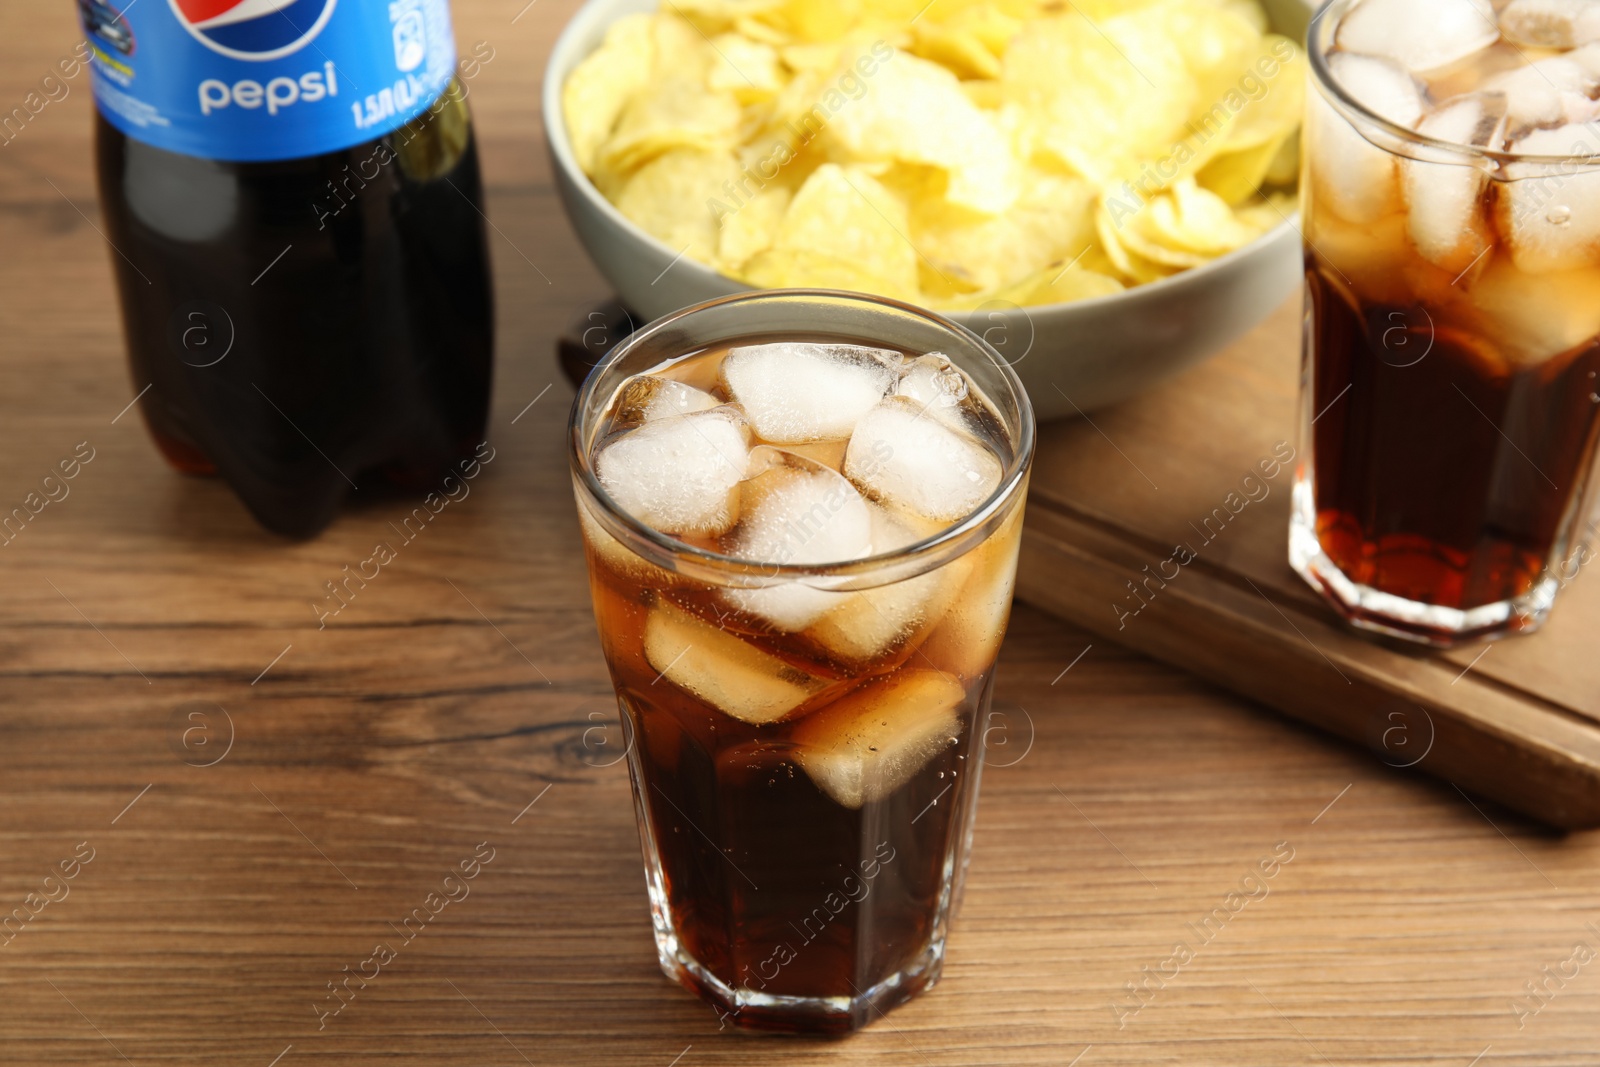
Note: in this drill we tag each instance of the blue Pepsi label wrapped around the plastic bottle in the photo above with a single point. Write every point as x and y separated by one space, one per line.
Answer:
252 81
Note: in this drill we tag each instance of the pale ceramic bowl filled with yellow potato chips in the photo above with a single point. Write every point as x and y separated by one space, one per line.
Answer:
1105 190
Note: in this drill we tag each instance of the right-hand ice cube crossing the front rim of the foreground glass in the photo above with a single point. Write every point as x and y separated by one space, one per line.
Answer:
873 623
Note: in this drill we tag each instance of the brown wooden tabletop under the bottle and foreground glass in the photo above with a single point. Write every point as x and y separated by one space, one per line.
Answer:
452 705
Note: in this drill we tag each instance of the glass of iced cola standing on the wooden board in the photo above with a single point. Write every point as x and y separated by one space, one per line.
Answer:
1452 402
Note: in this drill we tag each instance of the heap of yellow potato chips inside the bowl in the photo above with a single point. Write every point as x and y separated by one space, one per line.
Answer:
953 153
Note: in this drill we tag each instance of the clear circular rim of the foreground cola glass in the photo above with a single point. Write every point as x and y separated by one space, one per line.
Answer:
1012 481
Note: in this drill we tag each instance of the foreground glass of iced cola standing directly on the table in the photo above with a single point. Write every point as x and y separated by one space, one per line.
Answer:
802 677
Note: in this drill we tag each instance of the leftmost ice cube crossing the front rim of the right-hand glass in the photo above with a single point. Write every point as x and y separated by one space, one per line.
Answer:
1354 177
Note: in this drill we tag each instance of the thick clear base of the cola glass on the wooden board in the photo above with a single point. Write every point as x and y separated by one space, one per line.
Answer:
1396 617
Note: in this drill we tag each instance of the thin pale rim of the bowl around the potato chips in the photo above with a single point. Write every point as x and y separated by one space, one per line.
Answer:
559 145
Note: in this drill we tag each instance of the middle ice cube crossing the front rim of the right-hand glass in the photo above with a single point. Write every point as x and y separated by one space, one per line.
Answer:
1446 204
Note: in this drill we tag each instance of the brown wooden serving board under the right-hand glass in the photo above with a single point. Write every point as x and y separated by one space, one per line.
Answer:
1116 494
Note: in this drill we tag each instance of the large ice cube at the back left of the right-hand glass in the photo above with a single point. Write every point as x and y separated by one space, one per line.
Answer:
1420 34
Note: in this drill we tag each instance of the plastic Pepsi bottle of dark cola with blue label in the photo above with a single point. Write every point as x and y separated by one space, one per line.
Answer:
292 196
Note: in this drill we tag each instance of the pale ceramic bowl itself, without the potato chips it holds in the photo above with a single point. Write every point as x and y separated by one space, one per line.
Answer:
1071 358
